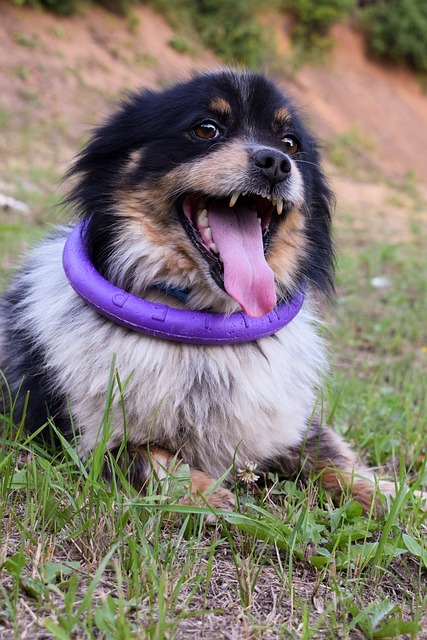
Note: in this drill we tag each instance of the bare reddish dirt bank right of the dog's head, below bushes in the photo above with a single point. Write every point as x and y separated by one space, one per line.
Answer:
383 103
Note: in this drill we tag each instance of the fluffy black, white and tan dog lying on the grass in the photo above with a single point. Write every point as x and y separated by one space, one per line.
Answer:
206 199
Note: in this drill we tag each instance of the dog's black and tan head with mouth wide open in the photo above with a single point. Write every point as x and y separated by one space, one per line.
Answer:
214 186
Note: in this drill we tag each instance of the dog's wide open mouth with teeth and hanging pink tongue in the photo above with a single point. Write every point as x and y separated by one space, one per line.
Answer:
232 234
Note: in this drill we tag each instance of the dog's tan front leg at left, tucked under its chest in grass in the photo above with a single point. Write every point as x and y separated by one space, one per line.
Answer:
140 464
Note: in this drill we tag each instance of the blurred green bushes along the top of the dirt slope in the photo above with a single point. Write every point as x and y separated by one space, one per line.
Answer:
395 30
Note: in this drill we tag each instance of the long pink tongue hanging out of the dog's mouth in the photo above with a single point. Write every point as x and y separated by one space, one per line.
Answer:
247 277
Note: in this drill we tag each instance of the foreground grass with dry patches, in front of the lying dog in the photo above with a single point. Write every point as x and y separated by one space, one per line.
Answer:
90 560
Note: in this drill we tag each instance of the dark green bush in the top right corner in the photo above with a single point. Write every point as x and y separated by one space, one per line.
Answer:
397 31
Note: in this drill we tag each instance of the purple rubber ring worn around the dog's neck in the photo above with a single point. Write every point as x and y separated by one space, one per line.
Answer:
159 320
